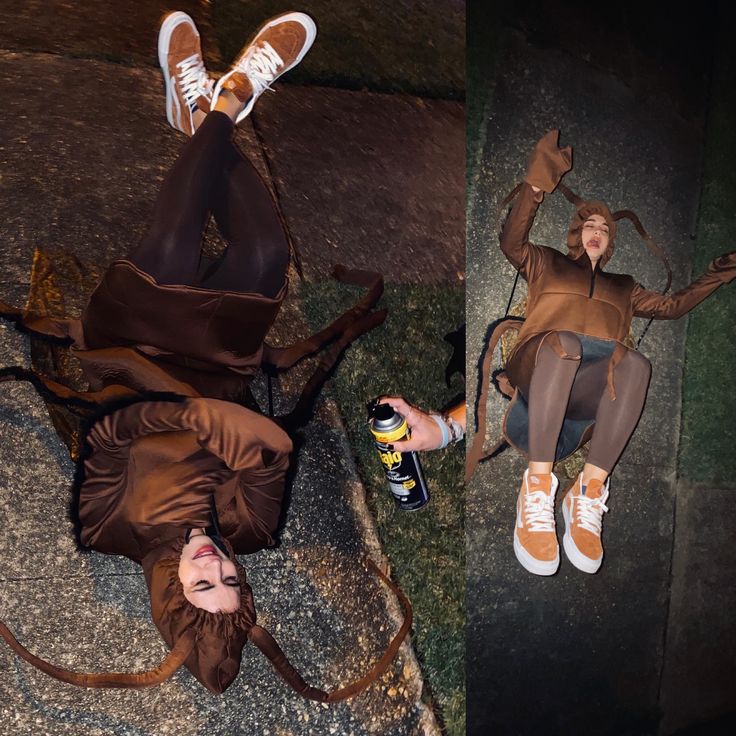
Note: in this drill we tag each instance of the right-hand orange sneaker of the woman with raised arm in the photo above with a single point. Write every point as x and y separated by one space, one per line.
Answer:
583 508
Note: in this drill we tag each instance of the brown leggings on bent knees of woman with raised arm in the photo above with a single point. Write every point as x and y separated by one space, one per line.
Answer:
577 388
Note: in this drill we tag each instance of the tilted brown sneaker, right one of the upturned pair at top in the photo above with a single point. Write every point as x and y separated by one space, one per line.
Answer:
278 46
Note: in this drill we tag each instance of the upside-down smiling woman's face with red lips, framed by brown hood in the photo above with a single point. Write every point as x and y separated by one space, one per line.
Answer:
209 578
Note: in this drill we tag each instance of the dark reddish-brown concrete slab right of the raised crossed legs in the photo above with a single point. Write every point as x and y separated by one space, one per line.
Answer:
386 188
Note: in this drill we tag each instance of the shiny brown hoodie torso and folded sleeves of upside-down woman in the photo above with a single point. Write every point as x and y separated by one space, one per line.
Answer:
154 465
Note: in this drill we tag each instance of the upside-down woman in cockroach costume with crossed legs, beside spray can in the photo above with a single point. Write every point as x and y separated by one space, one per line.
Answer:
182 485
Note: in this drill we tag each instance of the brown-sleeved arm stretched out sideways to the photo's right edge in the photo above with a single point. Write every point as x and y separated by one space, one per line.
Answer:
645 303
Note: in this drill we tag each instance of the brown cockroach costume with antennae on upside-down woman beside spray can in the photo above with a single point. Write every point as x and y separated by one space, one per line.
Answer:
156 468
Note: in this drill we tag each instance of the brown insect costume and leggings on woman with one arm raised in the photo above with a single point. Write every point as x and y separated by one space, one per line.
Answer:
574 337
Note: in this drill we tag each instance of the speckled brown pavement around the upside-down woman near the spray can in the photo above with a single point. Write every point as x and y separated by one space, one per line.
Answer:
82 177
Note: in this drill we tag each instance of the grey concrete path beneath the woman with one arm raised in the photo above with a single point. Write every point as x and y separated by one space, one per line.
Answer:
581 646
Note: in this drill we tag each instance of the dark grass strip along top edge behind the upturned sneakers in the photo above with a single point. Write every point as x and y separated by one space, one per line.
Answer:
403 46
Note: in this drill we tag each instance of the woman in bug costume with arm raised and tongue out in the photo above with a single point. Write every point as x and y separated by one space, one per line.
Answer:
575 373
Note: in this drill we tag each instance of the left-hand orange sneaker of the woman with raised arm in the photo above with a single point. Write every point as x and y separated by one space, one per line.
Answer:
535 540
